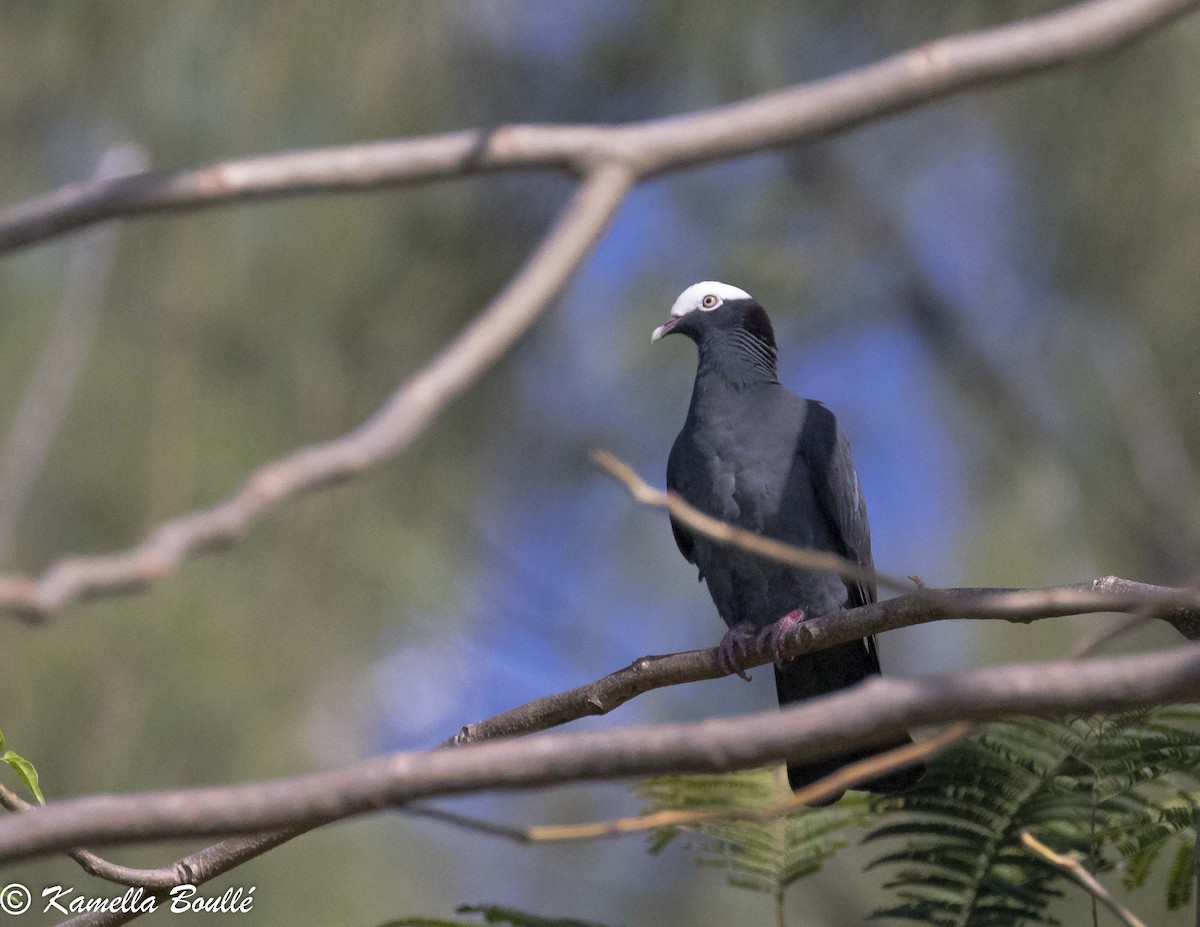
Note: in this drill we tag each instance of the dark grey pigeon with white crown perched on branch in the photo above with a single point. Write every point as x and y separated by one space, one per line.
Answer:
757 456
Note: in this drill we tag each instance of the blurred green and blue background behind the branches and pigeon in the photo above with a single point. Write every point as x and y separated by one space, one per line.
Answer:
997 295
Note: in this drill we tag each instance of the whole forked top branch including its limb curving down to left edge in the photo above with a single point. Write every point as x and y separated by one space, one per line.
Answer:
610 158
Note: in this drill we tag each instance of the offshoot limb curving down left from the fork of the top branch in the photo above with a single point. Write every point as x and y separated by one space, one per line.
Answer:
379 440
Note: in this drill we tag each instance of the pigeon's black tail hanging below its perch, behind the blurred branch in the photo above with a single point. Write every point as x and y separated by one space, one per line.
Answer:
829 671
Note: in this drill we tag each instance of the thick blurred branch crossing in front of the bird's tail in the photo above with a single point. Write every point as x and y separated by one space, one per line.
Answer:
859 717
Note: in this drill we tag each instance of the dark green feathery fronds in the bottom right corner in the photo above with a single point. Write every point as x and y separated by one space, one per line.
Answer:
1108 790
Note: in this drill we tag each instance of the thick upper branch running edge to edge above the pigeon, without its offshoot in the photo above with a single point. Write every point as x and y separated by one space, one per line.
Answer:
773 121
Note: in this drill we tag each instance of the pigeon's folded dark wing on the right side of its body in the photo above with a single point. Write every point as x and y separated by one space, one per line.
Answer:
841 495
